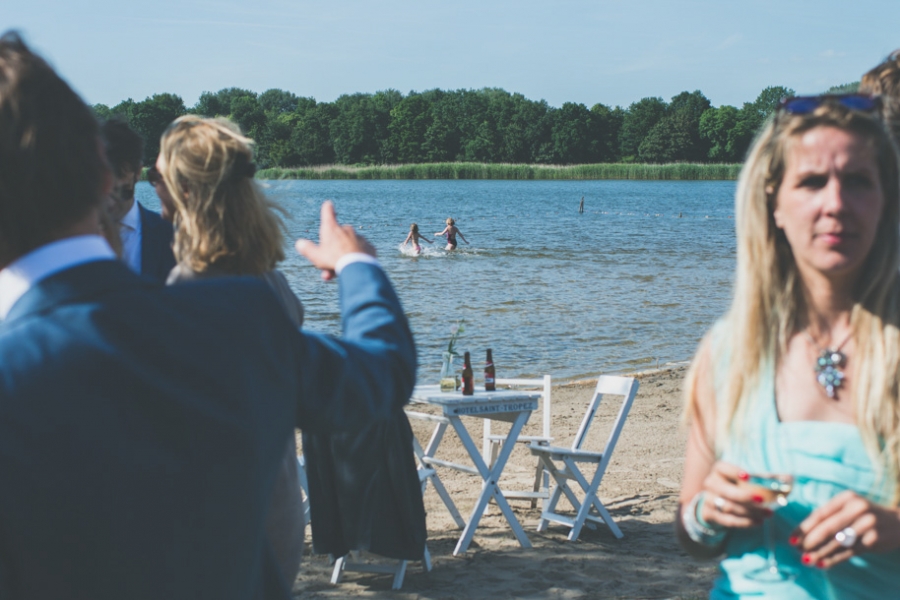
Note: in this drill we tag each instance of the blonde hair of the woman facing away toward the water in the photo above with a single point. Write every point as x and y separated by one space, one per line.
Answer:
222 219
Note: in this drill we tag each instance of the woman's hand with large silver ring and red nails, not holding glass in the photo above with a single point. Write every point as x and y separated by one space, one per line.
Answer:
845 526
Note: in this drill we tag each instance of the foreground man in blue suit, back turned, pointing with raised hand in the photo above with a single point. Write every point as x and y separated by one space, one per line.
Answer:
138 455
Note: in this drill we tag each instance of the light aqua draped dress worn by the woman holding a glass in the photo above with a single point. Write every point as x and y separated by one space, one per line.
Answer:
825 459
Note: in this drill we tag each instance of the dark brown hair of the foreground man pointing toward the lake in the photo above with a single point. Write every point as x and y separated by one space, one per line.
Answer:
52 170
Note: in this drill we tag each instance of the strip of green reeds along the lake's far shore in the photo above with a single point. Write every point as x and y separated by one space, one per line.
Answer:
636 171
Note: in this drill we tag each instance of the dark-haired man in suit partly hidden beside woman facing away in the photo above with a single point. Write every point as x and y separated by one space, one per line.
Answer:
146 237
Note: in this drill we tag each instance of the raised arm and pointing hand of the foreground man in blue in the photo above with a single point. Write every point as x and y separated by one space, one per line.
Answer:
369 371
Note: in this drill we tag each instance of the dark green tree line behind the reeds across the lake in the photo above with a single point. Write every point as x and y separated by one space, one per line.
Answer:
486 126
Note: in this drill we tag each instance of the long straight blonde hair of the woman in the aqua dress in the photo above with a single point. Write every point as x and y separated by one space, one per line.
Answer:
768 304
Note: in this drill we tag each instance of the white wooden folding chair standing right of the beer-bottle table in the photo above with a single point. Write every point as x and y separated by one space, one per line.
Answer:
570 457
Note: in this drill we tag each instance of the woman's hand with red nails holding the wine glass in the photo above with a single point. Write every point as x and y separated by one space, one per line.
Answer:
726 504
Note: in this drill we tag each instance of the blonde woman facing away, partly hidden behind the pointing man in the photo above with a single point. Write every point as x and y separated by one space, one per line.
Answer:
224 226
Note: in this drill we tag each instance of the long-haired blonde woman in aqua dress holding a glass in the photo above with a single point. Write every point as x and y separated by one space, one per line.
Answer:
801 376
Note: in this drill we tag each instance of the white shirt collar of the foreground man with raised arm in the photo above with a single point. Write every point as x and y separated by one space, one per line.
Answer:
23 273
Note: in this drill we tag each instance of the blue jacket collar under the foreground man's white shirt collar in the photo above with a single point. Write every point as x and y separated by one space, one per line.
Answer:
77 284
